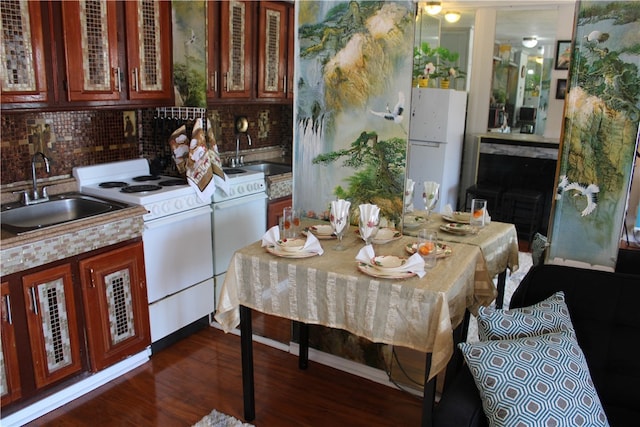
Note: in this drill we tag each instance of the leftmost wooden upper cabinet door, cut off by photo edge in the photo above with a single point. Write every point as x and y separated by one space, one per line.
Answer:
22 68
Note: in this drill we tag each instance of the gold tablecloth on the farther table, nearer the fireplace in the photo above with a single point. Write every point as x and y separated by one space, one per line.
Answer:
498 241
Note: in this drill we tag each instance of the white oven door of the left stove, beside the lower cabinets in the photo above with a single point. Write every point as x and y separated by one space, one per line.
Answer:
177 252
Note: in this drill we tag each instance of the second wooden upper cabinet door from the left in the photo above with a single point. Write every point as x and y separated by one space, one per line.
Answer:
91 50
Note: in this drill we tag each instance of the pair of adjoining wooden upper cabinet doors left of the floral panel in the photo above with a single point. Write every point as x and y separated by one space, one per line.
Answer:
101 69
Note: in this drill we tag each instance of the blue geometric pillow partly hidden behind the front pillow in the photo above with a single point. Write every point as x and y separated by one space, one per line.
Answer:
550 315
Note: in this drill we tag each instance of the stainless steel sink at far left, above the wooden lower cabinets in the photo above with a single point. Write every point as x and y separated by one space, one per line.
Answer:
60 209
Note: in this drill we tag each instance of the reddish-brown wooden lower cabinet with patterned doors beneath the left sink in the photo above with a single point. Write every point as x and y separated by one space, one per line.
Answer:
75 315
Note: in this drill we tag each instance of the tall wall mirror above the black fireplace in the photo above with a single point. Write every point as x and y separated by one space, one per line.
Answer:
522 64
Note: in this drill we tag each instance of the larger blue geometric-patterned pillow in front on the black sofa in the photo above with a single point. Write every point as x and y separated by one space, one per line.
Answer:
534 381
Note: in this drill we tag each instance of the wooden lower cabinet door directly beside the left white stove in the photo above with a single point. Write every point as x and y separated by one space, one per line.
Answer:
114 294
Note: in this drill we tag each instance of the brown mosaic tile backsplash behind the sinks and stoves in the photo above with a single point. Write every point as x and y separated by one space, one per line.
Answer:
79 138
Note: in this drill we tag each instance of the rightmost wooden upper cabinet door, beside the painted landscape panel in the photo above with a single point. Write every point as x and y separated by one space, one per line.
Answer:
272 49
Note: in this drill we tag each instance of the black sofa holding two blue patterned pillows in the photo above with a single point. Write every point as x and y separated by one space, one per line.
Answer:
605 312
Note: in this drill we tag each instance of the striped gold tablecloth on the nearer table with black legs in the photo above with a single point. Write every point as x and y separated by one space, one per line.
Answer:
329 290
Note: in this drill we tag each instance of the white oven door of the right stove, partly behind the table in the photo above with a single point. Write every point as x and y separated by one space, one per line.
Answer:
237 223
